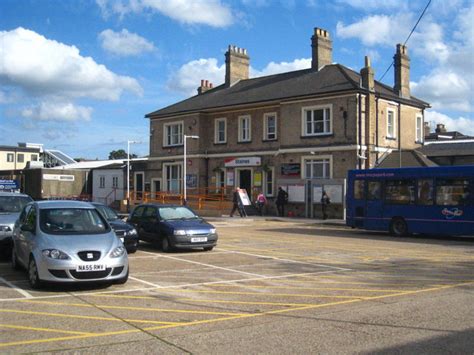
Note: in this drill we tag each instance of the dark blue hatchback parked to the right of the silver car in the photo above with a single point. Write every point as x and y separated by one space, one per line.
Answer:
173 227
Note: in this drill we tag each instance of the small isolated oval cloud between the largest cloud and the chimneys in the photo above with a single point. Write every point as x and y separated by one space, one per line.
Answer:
124 43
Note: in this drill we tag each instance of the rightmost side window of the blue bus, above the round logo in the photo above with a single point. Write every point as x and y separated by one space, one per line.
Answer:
452 192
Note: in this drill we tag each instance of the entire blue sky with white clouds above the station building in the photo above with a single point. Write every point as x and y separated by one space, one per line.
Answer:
80 75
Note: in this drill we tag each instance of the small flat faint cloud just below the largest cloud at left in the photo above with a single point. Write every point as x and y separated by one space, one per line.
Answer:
54 111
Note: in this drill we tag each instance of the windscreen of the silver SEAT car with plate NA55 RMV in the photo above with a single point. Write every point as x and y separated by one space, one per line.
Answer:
72 221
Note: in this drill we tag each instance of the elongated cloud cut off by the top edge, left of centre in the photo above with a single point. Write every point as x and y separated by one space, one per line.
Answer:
202 12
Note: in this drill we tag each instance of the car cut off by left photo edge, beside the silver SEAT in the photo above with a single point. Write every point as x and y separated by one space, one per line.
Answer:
11 204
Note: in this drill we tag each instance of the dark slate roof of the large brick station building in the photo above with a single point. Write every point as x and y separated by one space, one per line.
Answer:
330 79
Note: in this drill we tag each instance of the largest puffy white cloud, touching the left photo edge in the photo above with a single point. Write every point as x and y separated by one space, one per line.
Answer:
45 67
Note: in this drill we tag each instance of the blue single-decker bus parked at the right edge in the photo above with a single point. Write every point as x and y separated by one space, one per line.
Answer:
433 200
